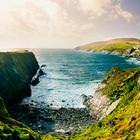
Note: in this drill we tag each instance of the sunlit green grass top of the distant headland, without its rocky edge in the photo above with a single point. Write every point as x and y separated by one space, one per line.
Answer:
119 45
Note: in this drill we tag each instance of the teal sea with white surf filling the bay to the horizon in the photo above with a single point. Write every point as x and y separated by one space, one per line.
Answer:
71 73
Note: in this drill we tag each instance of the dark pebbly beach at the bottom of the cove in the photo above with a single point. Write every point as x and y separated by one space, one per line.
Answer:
63 121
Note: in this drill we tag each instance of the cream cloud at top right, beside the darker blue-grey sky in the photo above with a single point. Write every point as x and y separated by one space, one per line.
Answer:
98 8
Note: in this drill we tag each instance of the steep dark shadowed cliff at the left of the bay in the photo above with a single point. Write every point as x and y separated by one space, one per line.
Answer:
16 72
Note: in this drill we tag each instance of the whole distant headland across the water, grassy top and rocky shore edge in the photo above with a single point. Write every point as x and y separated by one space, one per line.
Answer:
122 46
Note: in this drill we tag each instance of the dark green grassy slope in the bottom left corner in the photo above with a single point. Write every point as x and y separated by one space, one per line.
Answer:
11 129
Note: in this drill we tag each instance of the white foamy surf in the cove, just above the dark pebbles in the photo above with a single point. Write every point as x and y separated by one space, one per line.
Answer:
48 93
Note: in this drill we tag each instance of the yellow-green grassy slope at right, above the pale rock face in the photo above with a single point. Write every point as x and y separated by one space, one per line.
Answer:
124 122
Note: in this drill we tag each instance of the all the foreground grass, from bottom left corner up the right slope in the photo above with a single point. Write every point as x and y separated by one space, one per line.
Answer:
123 123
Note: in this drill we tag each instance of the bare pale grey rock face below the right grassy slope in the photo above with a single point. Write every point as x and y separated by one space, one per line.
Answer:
100 105
